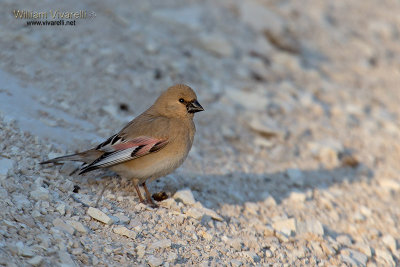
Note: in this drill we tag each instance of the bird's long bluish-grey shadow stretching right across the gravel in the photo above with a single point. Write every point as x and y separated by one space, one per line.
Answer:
238 188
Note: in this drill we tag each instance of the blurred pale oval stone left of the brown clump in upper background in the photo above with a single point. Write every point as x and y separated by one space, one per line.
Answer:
216 44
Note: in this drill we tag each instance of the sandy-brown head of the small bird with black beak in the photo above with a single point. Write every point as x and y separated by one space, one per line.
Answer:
178 101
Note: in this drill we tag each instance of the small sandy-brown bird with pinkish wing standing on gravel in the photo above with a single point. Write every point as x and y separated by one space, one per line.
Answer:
152 145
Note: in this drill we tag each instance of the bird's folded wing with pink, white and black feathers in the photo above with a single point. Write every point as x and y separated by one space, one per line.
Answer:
118 150
